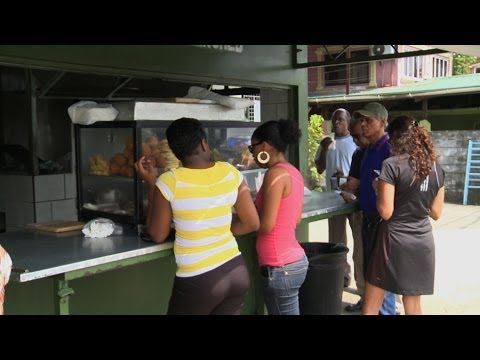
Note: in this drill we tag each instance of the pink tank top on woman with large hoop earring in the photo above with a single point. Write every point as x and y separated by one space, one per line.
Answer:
280 246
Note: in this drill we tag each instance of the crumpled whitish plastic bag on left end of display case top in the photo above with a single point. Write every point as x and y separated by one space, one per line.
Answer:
89 112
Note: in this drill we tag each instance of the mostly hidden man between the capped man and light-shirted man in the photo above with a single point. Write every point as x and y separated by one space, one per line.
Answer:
351 187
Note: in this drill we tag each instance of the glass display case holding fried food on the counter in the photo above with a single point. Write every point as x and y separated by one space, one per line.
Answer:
107 184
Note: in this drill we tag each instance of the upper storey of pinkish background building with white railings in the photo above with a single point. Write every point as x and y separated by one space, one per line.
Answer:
348 79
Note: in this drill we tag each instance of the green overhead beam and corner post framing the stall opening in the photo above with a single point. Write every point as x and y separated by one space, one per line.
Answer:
267 66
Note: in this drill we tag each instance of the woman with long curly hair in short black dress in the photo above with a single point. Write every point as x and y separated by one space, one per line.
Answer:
410 191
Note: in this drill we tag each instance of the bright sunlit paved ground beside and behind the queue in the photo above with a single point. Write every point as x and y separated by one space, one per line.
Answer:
457 276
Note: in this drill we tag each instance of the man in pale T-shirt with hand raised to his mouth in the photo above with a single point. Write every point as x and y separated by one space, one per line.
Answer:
334 157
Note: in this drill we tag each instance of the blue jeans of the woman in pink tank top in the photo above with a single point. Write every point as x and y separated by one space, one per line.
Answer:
281 285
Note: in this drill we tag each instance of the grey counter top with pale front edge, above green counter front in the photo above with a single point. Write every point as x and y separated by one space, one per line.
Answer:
37 254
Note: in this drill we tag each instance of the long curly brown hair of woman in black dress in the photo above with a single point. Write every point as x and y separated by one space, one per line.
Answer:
406 137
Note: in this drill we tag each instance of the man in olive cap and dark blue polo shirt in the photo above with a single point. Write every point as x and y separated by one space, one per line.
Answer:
373 117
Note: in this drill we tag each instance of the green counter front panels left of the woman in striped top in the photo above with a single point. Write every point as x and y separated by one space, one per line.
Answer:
142 288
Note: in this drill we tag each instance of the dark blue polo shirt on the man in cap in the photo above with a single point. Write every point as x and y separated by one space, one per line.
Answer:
372 160
